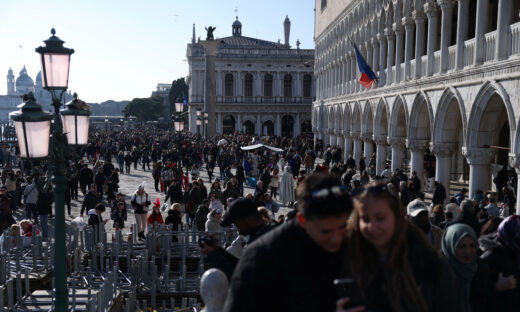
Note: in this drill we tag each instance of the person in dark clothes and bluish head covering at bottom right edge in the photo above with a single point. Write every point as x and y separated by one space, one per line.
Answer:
501 252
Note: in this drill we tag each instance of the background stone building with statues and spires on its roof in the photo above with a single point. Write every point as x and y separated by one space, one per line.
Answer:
263 87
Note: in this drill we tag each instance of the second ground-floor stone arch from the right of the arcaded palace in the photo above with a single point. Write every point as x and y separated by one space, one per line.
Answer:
450 110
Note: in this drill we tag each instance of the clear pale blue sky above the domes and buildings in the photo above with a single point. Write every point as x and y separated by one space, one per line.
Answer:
123 48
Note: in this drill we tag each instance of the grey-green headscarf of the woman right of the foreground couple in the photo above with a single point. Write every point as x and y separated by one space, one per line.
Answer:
465 272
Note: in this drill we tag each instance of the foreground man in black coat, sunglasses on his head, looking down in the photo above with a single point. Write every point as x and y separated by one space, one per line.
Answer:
292 268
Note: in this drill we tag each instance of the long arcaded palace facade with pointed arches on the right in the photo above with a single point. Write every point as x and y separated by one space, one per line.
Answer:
448 73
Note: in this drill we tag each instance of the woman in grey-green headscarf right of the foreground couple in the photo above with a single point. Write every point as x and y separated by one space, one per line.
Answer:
476 288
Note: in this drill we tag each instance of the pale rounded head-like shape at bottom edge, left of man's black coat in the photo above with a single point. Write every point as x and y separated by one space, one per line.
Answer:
213 290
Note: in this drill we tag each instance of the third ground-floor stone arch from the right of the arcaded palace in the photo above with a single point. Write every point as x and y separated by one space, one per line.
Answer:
420 126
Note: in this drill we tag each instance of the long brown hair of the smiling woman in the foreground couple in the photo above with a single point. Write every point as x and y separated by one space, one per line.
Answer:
398 282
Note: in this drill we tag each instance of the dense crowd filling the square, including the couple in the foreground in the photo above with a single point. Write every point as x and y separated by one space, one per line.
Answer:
373 236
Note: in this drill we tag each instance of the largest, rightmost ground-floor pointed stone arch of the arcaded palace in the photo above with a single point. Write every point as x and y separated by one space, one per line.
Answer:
484 113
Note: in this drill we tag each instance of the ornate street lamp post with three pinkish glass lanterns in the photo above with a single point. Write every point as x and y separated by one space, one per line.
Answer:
33 127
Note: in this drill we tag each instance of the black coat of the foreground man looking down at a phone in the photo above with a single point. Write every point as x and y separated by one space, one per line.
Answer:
284 270
